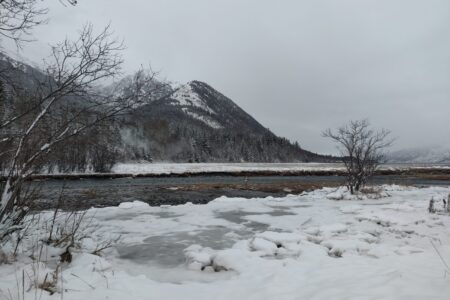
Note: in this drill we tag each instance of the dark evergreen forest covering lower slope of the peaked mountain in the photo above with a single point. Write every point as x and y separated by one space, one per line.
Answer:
161 133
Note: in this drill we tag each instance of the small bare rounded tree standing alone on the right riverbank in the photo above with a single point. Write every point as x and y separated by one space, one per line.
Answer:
362 150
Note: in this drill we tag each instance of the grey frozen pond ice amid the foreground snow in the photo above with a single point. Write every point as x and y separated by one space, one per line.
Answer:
166 253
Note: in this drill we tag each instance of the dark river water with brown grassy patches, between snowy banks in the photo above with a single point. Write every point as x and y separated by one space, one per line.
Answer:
84 193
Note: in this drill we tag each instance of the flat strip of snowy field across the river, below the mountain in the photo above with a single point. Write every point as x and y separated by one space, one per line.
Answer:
179 168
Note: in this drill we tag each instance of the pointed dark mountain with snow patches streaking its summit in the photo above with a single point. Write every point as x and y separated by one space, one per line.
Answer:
196 123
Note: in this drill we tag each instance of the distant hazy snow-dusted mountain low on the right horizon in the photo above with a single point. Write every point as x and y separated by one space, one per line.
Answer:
434 155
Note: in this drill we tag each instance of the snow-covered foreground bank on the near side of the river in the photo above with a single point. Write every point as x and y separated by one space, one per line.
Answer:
323 244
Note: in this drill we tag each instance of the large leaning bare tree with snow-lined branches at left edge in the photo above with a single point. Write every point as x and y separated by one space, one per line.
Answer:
65 101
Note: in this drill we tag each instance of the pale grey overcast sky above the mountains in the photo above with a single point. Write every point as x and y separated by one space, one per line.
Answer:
297 66
